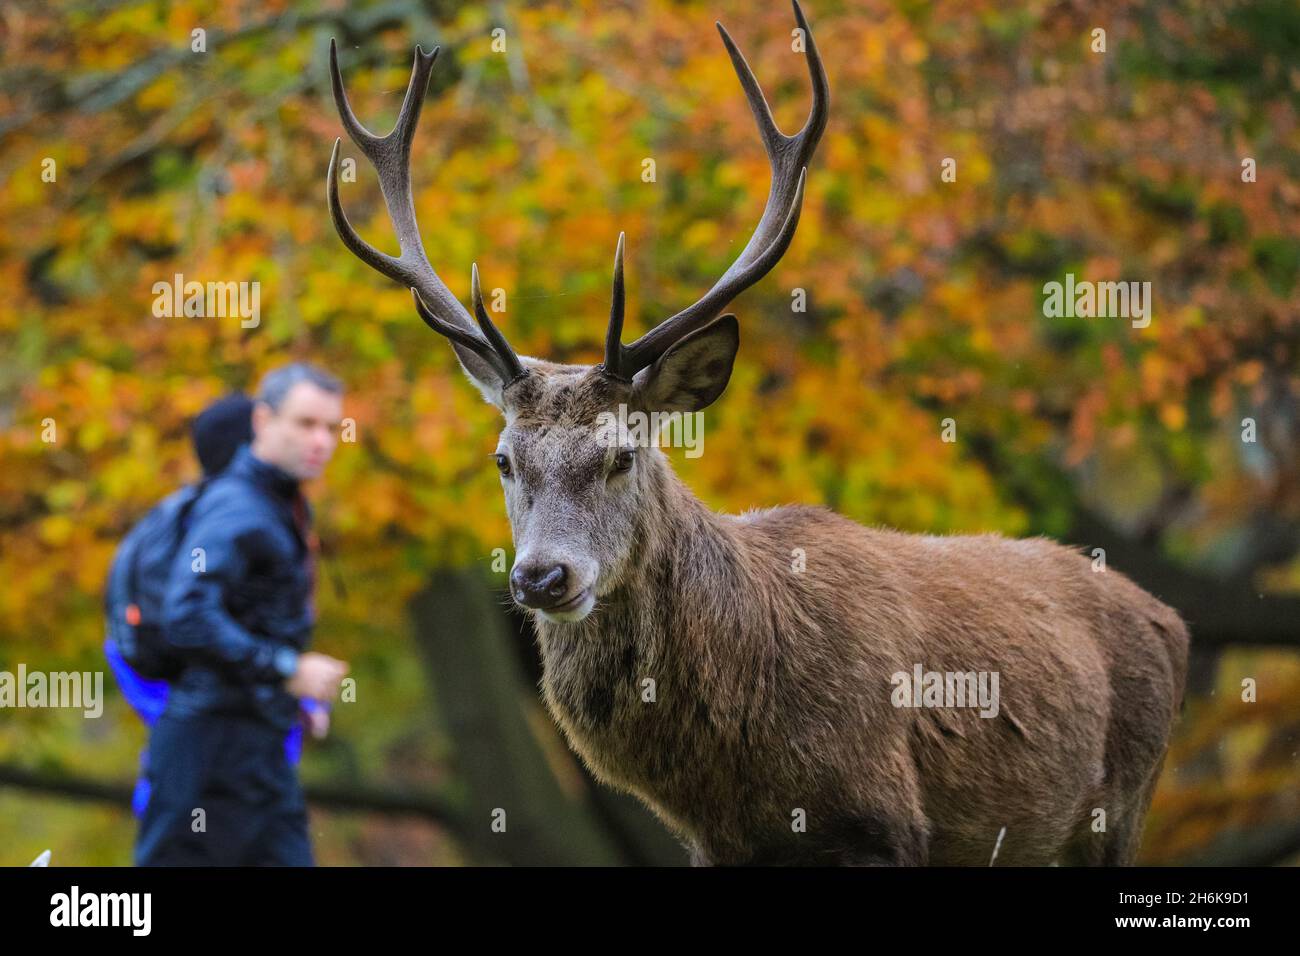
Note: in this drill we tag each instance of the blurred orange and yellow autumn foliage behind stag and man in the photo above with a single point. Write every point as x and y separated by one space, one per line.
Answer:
925 299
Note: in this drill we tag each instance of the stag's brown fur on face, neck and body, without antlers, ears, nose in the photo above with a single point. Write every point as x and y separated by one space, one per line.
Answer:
773 686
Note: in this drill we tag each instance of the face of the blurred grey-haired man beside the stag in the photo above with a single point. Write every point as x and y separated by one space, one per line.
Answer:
300 438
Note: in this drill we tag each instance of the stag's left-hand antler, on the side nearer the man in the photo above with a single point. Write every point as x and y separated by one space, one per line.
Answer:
391 157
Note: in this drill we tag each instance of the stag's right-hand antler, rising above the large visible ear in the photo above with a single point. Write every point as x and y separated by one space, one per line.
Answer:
788 158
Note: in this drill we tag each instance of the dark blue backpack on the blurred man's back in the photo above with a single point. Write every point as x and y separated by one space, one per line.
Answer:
137 586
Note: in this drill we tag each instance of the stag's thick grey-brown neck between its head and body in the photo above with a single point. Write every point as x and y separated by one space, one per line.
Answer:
647 687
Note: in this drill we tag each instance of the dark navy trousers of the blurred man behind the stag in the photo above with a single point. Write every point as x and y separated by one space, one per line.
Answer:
236 772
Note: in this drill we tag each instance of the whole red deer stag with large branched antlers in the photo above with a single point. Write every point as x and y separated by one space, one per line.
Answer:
764 707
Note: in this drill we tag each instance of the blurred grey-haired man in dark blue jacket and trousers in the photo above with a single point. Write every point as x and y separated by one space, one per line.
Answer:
240 613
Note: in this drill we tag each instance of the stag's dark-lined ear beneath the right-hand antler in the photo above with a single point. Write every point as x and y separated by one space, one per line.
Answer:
694 373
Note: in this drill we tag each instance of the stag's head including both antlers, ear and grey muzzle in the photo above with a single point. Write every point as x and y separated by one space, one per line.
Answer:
579 499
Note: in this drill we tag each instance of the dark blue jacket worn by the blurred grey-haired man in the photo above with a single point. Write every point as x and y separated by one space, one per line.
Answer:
239 604
